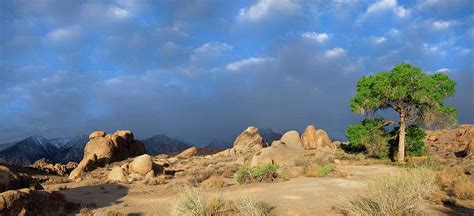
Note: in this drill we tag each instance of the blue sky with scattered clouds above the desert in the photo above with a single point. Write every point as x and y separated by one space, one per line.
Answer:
207 69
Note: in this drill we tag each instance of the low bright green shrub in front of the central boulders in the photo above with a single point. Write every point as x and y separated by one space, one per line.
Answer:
262 173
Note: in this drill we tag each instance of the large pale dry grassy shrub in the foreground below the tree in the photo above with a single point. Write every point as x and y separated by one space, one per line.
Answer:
399 193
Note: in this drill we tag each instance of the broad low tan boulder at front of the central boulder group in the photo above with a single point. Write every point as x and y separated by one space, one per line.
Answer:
279 153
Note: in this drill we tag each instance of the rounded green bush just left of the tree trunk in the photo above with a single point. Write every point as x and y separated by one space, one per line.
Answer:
370 136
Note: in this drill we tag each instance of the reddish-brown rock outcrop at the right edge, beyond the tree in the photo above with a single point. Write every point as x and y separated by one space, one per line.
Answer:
456 142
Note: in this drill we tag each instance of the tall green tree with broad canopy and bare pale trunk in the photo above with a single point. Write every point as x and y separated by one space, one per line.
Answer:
417 97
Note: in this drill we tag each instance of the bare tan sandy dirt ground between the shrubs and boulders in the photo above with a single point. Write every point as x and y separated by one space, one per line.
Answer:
299 196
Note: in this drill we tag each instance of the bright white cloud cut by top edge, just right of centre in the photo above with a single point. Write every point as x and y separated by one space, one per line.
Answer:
265 8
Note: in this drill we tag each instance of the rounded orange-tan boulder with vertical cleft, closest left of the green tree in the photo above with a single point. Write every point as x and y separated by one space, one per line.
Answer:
316 139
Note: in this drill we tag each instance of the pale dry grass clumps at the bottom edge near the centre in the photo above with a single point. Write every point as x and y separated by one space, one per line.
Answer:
194 203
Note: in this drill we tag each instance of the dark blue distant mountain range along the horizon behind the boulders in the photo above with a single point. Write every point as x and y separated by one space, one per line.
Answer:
64 149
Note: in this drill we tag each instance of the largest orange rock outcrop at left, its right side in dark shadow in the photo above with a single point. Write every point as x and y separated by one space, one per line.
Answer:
102 150
